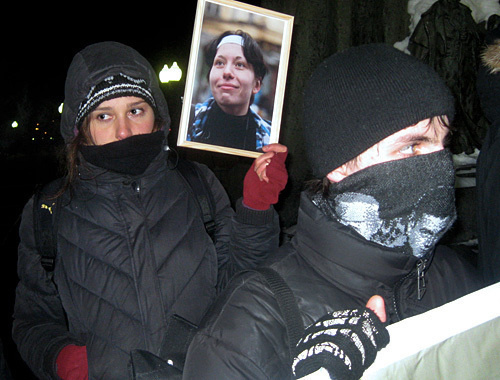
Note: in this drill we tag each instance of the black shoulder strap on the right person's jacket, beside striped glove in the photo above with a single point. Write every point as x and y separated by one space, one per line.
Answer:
288 307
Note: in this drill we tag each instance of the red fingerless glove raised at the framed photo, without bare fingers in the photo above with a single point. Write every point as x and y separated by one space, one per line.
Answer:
260 195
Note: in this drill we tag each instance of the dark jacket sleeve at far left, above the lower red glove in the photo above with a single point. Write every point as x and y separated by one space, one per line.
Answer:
39 327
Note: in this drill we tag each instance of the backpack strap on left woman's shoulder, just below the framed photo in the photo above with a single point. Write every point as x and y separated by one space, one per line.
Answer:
201 190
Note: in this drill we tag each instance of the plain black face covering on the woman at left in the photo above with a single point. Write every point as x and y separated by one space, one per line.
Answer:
130 156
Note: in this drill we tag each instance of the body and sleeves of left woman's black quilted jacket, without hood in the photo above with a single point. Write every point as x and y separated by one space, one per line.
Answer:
132 251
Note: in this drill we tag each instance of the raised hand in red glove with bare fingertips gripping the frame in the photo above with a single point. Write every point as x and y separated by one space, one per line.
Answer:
266 178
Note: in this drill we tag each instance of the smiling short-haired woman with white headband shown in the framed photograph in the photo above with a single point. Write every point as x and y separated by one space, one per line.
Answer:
237 69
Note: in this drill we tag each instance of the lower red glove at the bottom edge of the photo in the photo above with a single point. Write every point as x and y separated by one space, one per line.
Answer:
72 363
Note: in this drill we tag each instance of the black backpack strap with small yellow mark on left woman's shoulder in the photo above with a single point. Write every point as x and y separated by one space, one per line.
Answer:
45 221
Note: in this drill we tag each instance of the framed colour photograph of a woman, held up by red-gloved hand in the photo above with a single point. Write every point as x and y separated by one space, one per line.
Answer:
236 78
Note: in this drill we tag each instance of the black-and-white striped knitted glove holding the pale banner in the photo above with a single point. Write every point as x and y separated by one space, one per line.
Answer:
345 343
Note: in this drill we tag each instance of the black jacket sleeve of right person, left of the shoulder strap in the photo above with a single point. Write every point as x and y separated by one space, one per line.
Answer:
244 338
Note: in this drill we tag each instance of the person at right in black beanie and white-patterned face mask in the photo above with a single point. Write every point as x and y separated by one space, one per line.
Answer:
375 125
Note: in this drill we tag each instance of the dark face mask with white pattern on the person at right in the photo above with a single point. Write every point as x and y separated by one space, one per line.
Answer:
407 204
